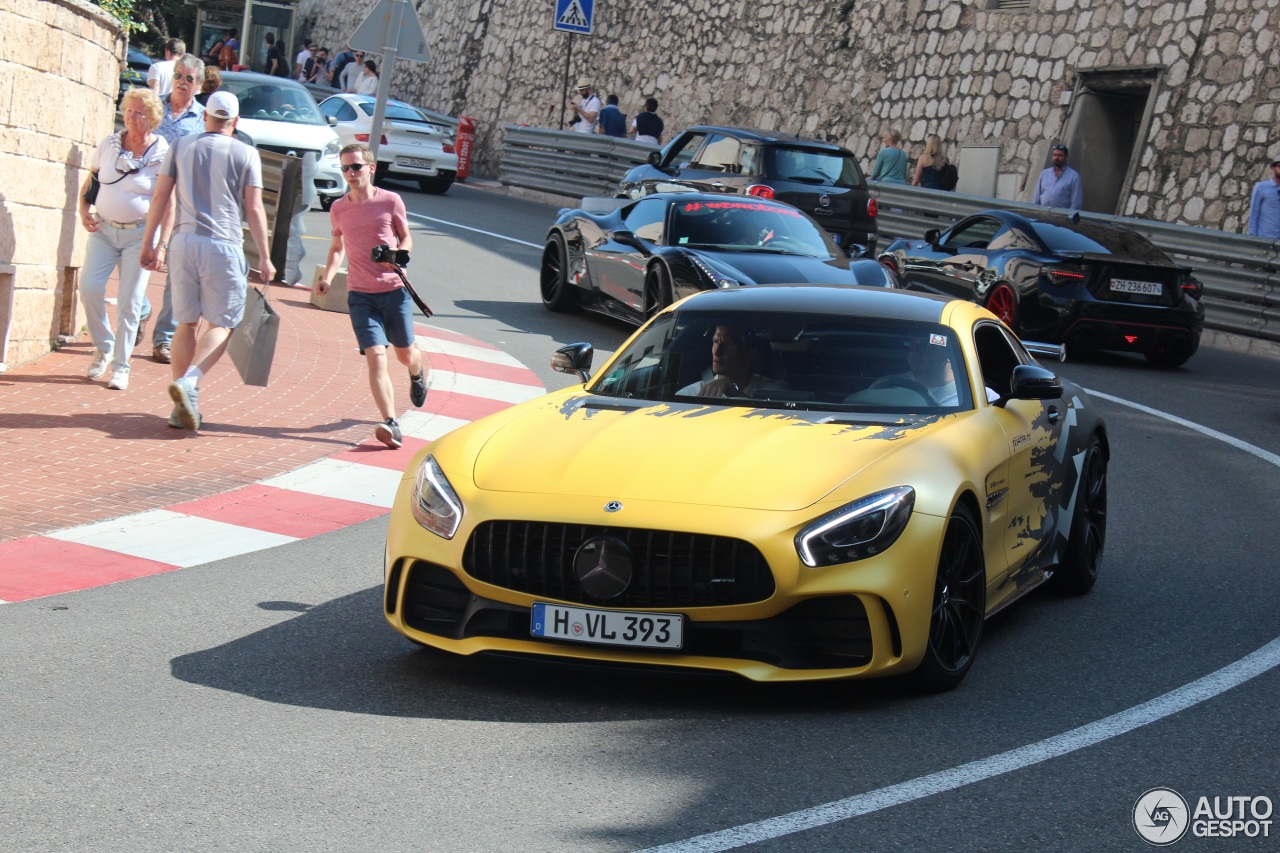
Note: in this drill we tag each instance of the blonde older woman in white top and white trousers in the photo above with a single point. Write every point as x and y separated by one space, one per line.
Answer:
126 167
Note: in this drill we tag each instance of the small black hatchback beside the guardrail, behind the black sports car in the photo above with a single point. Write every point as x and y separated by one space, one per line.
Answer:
820 179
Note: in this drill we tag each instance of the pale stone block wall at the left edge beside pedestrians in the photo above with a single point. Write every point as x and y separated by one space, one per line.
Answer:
60 72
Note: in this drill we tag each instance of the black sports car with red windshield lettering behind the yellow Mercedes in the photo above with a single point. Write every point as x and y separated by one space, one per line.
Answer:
632 259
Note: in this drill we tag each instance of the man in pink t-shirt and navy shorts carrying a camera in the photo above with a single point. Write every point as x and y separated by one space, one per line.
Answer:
380 305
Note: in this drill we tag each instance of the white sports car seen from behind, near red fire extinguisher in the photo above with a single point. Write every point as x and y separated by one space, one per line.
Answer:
413 145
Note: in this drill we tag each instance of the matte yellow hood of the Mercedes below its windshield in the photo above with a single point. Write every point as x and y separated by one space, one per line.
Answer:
755 459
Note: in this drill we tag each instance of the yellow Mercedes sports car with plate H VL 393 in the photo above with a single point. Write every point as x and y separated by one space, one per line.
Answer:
784 482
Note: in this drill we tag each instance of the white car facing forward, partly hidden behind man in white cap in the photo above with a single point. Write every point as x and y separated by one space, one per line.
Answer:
281 116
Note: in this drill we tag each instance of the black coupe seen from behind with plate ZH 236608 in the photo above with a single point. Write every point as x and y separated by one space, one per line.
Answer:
1063 279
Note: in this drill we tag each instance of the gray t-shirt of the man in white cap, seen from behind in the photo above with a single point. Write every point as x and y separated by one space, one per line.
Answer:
211 174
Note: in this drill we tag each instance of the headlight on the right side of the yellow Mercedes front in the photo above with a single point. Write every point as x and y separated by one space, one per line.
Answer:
857 531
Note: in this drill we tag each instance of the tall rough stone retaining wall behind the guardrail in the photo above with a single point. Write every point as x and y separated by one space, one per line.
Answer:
845 70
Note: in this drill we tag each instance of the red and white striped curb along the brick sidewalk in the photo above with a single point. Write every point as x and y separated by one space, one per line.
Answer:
468 381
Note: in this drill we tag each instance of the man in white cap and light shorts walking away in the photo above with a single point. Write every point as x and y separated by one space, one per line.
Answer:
214 183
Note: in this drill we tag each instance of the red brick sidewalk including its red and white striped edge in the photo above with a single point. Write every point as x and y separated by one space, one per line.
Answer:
76 455
